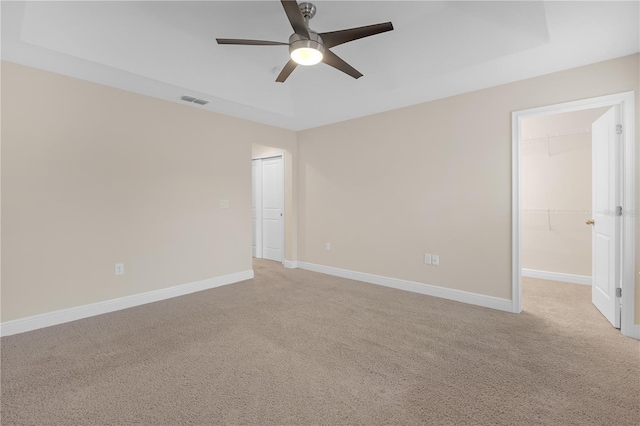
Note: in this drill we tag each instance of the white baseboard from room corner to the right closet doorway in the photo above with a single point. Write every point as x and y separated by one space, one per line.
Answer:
415 287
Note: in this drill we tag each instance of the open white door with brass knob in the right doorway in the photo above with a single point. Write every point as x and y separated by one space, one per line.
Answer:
605 244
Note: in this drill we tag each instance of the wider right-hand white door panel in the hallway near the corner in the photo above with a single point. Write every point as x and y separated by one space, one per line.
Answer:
272 208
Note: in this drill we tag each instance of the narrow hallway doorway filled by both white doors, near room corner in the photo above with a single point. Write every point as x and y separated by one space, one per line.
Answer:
268 208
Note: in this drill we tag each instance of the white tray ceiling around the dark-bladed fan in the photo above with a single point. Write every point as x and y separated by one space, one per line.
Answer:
438 48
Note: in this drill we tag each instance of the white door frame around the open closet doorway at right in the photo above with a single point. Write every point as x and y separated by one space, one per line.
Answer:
627 169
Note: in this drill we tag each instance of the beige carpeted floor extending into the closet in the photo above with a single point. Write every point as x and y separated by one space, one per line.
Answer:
293 347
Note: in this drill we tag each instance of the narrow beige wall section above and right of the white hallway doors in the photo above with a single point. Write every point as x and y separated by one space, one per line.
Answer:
289 148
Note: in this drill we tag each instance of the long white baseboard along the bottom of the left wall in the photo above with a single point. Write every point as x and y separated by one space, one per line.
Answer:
48 319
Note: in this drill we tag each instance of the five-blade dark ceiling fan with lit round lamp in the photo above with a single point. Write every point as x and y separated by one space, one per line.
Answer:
308 47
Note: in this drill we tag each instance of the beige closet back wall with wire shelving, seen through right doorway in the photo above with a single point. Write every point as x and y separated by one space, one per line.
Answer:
556 175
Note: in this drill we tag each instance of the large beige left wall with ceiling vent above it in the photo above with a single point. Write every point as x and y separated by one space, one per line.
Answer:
92 176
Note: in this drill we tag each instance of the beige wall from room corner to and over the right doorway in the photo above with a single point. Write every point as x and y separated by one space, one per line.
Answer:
431 178
